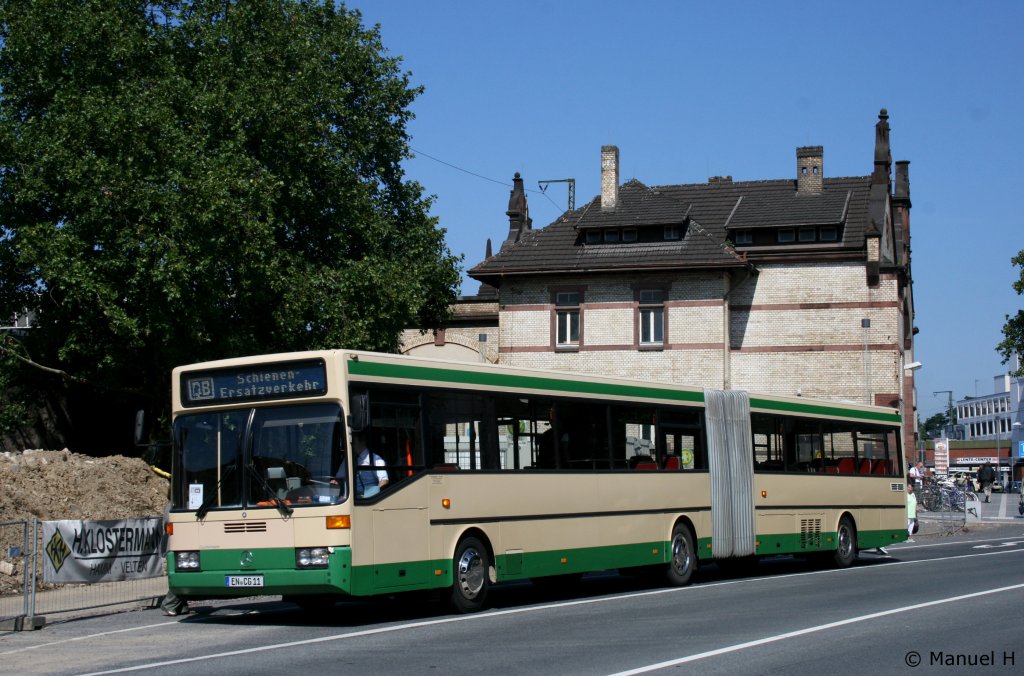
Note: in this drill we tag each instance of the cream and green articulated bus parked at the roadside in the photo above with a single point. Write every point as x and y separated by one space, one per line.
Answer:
477 475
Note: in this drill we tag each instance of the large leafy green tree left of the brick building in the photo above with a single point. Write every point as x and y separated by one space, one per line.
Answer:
186 181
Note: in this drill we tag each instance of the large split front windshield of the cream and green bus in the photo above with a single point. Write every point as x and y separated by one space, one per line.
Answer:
277 457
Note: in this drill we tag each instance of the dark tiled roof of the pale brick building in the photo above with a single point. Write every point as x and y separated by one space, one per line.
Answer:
708 210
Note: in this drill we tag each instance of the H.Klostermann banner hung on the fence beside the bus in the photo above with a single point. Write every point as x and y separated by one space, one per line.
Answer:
103 552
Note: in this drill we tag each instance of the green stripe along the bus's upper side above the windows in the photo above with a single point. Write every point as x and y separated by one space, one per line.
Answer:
497 379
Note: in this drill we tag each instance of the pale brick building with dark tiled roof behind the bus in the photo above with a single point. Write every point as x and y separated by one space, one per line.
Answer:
798 286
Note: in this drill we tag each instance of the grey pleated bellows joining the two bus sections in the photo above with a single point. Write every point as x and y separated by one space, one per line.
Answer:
732 464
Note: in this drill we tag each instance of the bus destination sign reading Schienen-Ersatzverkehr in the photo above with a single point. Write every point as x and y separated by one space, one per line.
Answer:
255 383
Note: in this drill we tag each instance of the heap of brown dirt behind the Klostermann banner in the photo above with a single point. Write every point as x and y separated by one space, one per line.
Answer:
62 485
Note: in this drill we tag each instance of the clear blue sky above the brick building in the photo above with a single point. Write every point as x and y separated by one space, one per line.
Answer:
689 91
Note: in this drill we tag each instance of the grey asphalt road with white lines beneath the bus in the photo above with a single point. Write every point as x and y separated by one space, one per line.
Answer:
943 605
